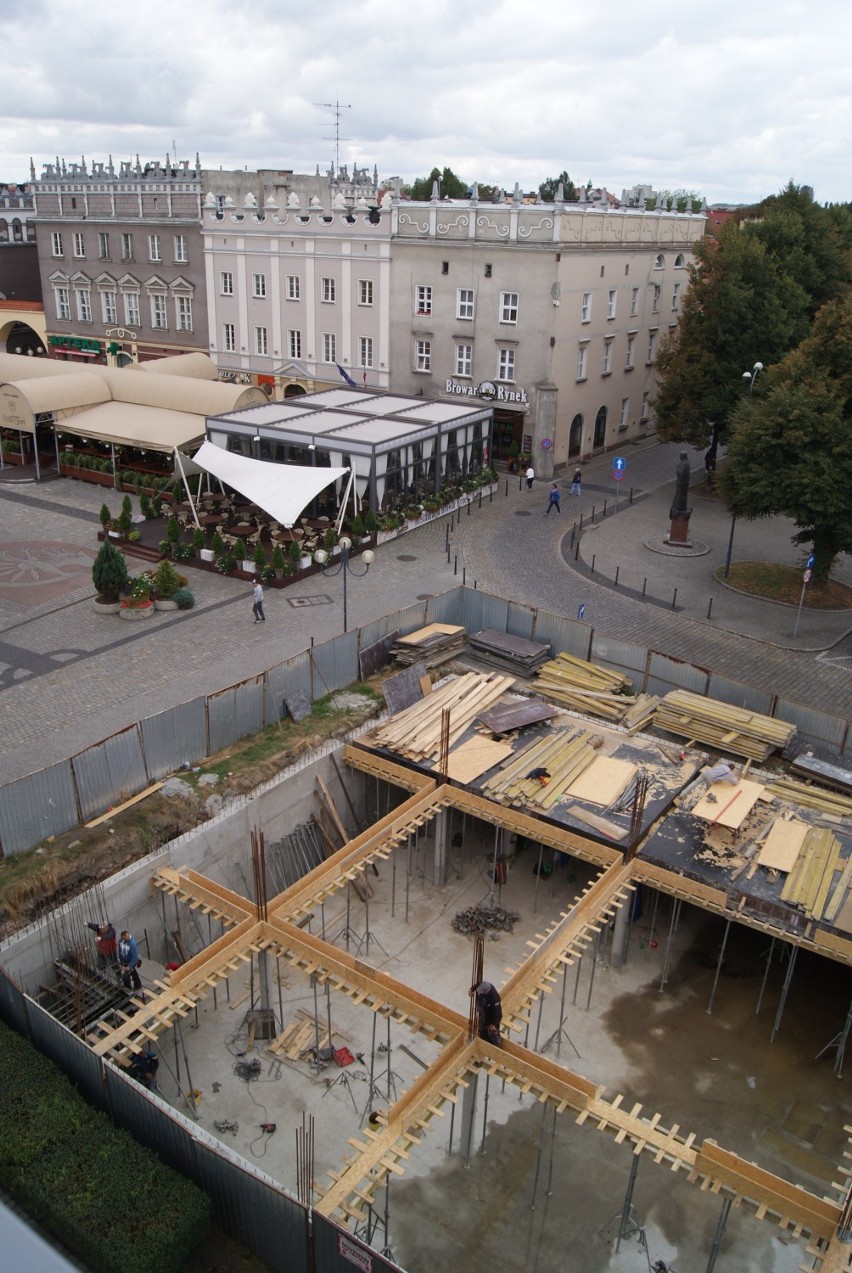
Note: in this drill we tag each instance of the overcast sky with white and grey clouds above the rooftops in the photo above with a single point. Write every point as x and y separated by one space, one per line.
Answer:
730 99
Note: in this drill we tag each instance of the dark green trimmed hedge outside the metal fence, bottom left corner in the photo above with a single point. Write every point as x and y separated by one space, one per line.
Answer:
108 1200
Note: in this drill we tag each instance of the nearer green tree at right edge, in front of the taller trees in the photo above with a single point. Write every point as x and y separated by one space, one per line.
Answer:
790 450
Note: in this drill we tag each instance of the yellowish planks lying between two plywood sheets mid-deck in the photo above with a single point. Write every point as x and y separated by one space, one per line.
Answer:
564 754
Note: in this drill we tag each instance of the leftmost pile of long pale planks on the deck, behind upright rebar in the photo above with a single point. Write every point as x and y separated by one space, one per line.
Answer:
417 731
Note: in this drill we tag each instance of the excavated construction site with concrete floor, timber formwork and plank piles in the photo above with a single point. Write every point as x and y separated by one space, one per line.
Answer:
665 911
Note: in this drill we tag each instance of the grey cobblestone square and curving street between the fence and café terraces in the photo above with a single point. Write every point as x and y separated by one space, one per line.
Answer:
71 678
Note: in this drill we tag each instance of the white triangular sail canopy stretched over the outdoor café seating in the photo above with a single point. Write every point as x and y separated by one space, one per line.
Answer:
282 491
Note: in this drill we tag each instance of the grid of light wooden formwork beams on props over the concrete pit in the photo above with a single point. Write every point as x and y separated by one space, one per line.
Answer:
383 1151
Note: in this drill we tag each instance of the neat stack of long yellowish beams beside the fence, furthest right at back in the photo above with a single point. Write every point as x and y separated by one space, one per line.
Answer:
721 726
